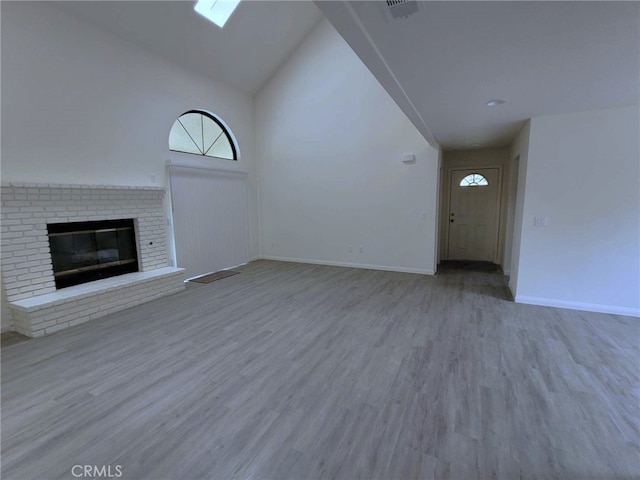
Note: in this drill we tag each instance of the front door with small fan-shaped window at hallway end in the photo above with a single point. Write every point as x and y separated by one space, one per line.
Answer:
474 206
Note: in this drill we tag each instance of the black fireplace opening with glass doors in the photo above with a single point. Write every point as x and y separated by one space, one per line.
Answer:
82 252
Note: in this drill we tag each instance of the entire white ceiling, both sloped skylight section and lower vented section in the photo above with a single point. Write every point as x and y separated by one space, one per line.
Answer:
441 64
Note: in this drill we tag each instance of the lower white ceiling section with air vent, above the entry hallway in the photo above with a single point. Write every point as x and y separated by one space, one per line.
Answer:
443 64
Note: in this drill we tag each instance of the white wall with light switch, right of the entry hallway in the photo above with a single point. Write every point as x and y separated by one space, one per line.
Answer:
583 173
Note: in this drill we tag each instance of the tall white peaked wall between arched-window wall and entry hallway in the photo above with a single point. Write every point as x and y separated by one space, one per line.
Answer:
330 141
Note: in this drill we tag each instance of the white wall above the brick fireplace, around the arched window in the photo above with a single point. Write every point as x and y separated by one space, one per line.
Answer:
81 106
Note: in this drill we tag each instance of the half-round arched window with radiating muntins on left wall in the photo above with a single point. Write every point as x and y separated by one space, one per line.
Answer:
200 133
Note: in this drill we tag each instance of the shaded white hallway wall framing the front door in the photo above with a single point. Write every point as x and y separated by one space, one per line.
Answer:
485 157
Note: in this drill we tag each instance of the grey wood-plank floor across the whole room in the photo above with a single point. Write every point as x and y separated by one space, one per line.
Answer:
291 371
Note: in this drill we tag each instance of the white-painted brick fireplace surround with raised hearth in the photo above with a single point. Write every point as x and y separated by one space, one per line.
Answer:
36 307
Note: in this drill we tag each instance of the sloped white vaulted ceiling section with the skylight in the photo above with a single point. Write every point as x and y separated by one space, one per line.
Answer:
256 40
